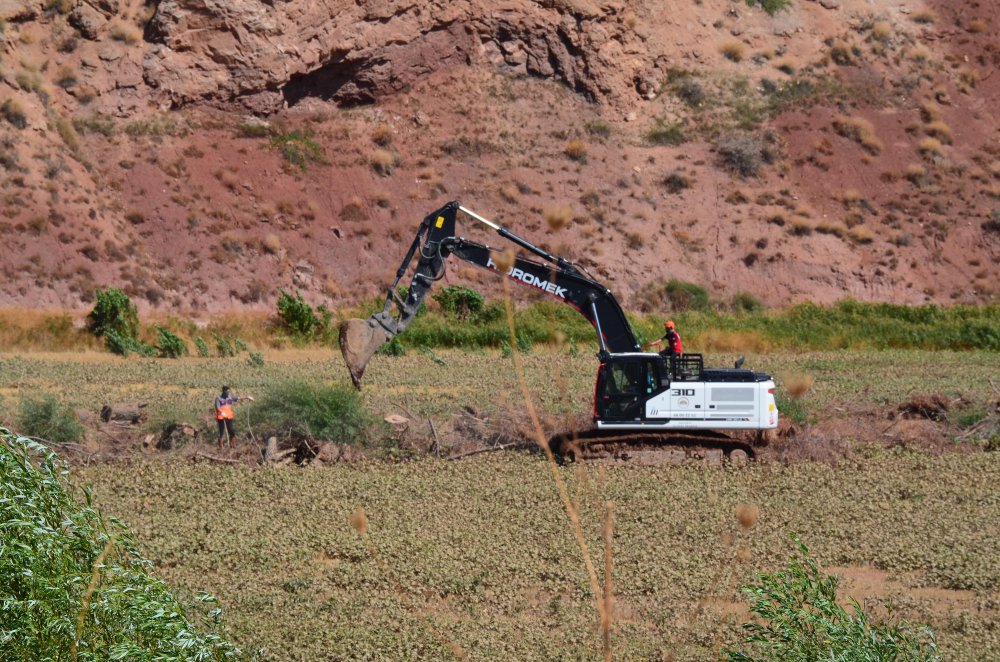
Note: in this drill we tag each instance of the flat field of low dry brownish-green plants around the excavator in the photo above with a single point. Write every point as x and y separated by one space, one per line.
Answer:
478 553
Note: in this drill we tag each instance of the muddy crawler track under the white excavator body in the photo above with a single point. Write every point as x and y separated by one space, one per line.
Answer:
649 448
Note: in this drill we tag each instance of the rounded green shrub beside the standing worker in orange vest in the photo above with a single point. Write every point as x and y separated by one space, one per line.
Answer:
313 412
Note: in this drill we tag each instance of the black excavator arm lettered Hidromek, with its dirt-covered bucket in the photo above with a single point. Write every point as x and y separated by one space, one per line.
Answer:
435 242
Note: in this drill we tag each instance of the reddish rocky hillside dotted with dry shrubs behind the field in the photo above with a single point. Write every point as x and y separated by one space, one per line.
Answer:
201 154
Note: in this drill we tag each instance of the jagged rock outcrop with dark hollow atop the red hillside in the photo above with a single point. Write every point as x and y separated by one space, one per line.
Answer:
270 54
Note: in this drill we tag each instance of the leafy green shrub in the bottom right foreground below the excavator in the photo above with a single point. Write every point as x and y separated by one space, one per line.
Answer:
799 619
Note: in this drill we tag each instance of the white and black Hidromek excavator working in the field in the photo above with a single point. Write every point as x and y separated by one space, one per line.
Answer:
640 398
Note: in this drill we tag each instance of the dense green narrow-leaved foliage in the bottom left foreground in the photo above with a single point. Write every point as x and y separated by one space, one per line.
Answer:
73 585
